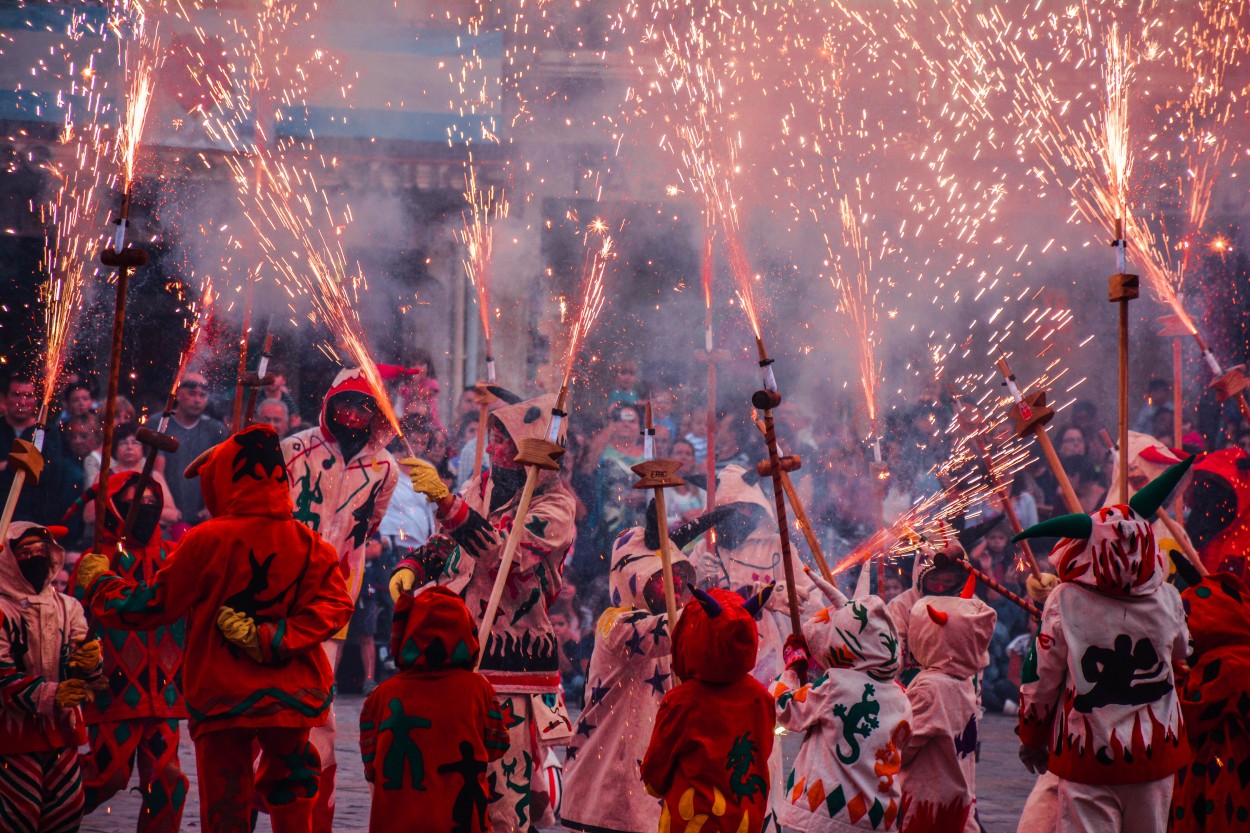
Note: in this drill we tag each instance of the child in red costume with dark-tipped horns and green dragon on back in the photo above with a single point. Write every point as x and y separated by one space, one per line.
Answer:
709 751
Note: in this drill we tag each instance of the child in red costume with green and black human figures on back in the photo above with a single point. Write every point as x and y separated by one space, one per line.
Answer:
428 734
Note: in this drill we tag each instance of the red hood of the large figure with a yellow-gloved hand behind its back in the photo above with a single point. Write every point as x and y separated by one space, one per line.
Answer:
247 476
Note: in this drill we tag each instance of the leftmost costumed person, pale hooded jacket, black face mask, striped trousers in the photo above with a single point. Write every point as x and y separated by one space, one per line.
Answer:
42 636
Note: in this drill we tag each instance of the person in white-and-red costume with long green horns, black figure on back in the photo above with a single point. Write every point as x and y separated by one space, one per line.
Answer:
1101 696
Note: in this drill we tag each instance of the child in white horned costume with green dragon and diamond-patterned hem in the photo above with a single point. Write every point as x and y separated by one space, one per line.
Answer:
854 717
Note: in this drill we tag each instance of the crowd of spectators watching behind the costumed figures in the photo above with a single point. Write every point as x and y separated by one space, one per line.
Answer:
604 442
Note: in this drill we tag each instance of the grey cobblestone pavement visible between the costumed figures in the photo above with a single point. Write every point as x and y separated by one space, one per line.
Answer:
1003 782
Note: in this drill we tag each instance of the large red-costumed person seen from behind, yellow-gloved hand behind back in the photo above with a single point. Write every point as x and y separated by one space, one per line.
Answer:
261 593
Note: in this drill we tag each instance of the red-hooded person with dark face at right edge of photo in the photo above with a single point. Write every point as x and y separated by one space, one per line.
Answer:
1219 517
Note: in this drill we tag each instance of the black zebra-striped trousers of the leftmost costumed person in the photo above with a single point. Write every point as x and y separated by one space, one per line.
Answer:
41 792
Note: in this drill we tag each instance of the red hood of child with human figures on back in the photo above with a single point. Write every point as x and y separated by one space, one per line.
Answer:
433 631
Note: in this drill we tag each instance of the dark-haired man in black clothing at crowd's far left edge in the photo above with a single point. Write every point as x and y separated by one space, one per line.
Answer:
43 502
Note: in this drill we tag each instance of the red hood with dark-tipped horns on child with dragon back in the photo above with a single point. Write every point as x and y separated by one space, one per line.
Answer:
719 650
